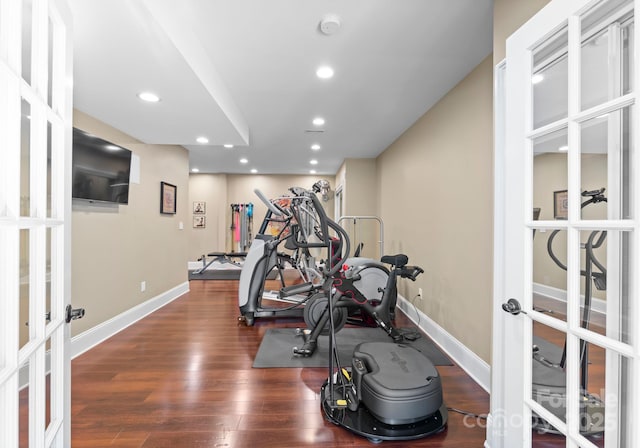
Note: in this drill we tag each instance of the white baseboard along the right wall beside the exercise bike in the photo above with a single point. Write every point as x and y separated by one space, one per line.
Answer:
471 363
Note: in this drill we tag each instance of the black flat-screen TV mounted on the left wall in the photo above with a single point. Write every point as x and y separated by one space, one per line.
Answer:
100 169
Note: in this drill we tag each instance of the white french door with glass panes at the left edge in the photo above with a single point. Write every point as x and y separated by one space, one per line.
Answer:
35 215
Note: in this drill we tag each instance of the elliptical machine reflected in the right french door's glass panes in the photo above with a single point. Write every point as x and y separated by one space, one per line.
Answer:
548 376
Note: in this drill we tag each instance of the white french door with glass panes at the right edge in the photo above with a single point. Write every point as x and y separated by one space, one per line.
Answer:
566 366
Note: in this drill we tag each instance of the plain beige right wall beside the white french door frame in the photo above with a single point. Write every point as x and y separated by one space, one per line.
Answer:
435 187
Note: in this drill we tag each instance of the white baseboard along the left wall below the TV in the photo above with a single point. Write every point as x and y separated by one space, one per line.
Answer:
101 332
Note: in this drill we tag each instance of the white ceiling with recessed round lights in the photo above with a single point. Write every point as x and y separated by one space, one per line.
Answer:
243 72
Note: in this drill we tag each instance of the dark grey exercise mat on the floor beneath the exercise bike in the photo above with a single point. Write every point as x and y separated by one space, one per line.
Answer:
276 349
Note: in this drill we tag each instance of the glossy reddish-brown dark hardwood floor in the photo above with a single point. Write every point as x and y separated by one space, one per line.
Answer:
183 377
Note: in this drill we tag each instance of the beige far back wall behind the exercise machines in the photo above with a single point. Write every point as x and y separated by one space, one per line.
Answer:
221 190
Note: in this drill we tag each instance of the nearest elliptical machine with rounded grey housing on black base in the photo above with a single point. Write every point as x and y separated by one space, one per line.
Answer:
391 391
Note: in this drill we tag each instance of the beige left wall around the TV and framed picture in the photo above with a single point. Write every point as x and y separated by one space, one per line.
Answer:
115 248
